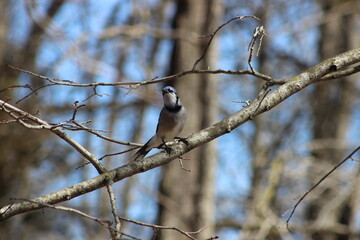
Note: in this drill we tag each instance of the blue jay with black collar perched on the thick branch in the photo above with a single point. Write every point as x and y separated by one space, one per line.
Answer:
171 121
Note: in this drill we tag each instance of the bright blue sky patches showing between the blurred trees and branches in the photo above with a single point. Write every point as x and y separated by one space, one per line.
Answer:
233 172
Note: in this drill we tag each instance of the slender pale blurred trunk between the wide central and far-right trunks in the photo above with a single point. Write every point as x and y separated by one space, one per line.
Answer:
266 169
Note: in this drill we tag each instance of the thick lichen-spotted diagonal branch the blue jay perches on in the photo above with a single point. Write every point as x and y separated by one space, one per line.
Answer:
258 106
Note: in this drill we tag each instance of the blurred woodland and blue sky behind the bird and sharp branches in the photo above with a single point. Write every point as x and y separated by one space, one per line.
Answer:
240 185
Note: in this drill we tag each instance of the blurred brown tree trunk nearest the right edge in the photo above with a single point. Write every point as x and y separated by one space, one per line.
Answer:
332 107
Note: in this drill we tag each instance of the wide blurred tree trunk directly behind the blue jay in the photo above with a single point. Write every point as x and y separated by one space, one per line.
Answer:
190 196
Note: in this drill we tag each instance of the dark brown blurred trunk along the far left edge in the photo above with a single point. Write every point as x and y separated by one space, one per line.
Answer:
19 146
